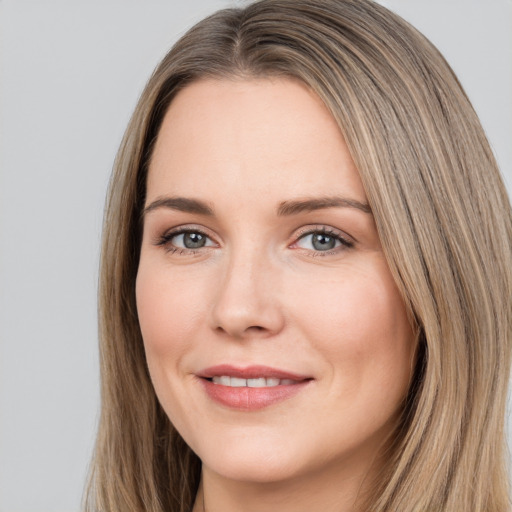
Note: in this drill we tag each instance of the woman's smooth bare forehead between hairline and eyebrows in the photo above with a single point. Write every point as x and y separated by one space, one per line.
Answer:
234 137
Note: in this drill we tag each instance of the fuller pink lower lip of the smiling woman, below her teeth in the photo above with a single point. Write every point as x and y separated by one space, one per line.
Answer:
251 399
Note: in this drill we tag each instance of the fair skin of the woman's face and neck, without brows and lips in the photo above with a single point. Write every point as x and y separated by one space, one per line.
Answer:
259 292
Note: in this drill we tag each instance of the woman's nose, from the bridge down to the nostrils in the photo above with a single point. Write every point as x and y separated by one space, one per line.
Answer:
247 302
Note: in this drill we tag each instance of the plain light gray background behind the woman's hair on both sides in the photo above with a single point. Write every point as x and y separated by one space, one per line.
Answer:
71 72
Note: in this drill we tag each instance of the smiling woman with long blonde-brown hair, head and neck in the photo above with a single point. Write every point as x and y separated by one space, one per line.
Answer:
305 289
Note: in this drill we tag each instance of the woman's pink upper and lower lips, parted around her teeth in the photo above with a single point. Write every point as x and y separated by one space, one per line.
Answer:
251 398
